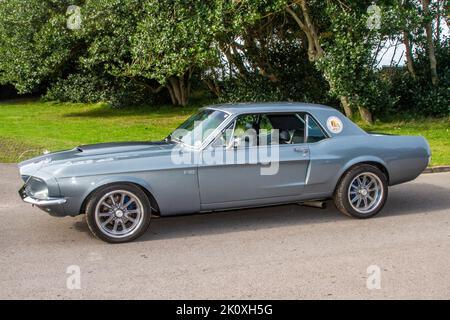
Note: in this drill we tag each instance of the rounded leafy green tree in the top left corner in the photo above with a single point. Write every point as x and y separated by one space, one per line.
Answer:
35 46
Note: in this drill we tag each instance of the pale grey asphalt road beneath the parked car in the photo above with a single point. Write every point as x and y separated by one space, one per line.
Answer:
284 252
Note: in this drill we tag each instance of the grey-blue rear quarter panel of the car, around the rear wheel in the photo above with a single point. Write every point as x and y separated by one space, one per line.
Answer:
403 157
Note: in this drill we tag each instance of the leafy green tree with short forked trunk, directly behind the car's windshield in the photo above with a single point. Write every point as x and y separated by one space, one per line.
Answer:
173 40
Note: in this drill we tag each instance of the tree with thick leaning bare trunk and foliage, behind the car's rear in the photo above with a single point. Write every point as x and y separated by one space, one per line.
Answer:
342 45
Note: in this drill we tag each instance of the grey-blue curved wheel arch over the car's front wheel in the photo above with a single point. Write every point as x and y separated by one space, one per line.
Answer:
136 182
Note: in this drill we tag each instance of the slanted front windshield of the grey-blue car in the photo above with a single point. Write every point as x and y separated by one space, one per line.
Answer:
197 128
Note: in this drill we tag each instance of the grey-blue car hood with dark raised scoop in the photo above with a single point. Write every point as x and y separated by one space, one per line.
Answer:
95 153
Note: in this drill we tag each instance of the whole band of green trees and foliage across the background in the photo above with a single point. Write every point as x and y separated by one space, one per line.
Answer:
132 51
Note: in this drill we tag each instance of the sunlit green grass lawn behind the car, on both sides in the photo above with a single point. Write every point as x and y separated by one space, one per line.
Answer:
29 127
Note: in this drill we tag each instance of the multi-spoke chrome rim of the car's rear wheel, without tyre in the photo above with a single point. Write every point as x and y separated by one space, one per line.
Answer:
365 192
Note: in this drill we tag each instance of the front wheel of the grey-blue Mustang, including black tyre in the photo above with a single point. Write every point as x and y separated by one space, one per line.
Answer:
118 213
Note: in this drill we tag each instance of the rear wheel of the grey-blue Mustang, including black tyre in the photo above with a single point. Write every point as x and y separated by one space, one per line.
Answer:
357 187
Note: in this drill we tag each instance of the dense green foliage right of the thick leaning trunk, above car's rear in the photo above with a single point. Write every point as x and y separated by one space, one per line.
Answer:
349 62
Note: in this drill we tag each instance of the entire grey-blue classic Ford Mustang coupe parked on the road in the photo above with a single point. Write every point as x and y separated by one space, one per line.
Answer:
225 157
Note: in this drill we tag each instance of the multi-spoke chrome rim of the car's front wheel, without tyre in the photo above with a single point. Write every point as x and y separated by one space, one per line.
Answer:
119 214
